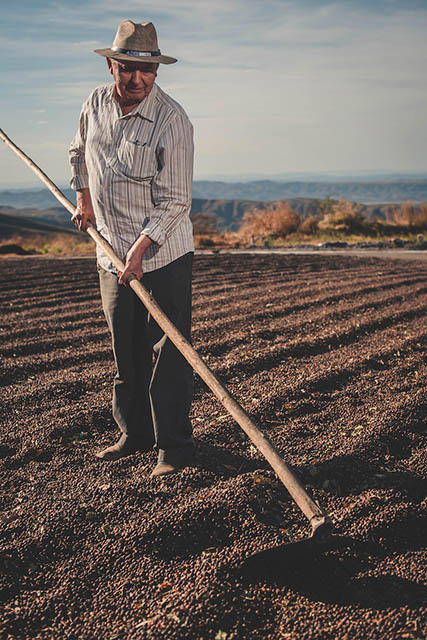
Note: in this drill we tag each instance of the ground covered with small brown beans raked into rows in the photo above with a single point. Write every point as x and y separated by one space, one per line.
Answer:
326 353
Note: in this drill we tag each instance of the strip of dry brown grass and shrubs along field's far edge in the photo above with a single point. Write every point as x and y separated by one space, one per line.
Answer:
273 226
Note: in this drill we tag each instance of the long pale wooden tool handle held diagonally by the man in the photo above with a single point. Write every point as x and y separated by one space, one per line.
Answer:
311 510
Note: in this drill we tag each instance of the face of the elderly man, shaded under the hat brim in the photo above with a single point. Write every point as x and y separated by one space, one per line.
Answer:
133 80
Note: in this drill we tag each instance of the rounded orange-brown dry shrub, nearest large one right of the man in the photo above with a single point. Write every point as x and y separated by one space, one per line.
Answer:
276 221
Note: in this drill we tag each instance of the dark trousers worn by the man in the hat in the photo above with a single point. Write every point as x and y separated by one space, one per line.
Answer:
153 386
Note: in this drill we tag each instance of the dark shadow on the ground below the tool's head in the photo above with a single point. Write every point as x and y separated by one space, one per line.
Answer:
336 572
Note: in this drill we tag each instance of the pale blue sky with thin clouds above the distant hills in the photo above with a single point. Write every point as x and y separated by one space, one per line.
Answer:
272 86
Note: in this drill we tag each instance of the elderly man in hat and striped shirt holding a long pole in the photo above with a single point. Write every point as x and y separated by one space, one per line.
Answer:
132 164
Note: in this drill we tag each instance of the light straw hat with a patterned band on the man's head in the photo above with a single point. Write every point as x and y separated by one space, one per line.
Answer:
135 42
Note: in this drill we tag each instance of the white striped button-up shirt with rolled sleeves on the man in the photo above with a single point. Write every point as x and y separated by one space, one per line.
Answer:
139 170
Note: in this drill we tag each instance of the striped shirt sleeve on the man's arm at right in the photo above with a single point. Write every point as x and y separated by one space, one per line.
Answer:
171 187
